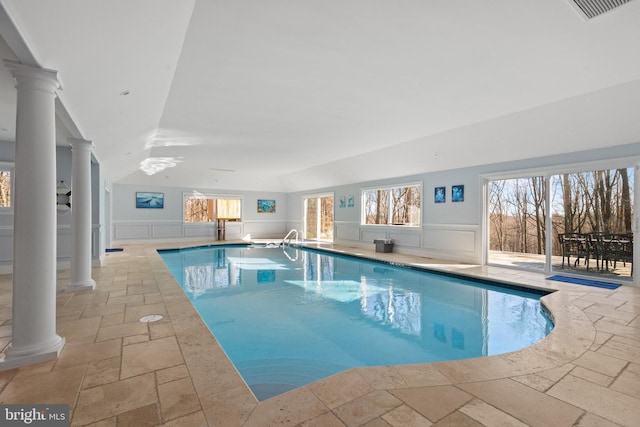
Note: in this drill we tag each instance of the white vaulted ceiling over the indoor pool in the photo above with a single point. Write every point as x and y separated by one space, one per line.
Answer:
289 95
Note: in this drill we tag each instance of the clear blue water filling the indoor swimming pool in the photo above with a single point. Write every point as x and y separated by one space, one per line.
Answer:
287 317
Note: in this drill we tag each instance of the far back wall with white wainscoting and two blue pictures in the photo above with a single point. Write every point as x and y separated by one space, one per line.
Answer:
132 225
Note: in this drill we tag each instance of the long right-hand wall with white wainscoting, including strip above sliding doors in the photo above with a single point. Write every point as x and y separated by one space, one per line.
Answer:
450 231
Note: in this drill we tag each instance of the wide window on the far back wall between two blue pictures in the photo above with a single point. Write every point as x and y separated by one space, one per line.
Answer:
208 208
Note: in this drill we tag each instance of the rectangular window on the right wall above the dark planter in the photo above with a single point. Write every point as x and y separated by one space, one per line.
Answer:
392 205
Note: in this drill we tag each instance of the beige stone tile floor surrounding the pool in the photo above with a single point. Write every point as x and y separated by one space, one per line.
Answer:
117 371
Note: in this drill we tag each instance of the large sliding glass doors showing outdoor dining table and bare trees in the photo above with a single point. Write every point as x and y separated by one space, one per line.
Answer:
589 230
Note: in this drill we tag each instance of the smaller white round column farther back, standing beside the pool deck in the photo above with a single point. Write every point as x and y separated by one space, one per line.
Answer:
80 216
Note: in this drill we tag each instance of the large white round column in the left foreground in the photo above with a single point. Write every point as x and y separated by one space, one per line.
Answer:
34 337
